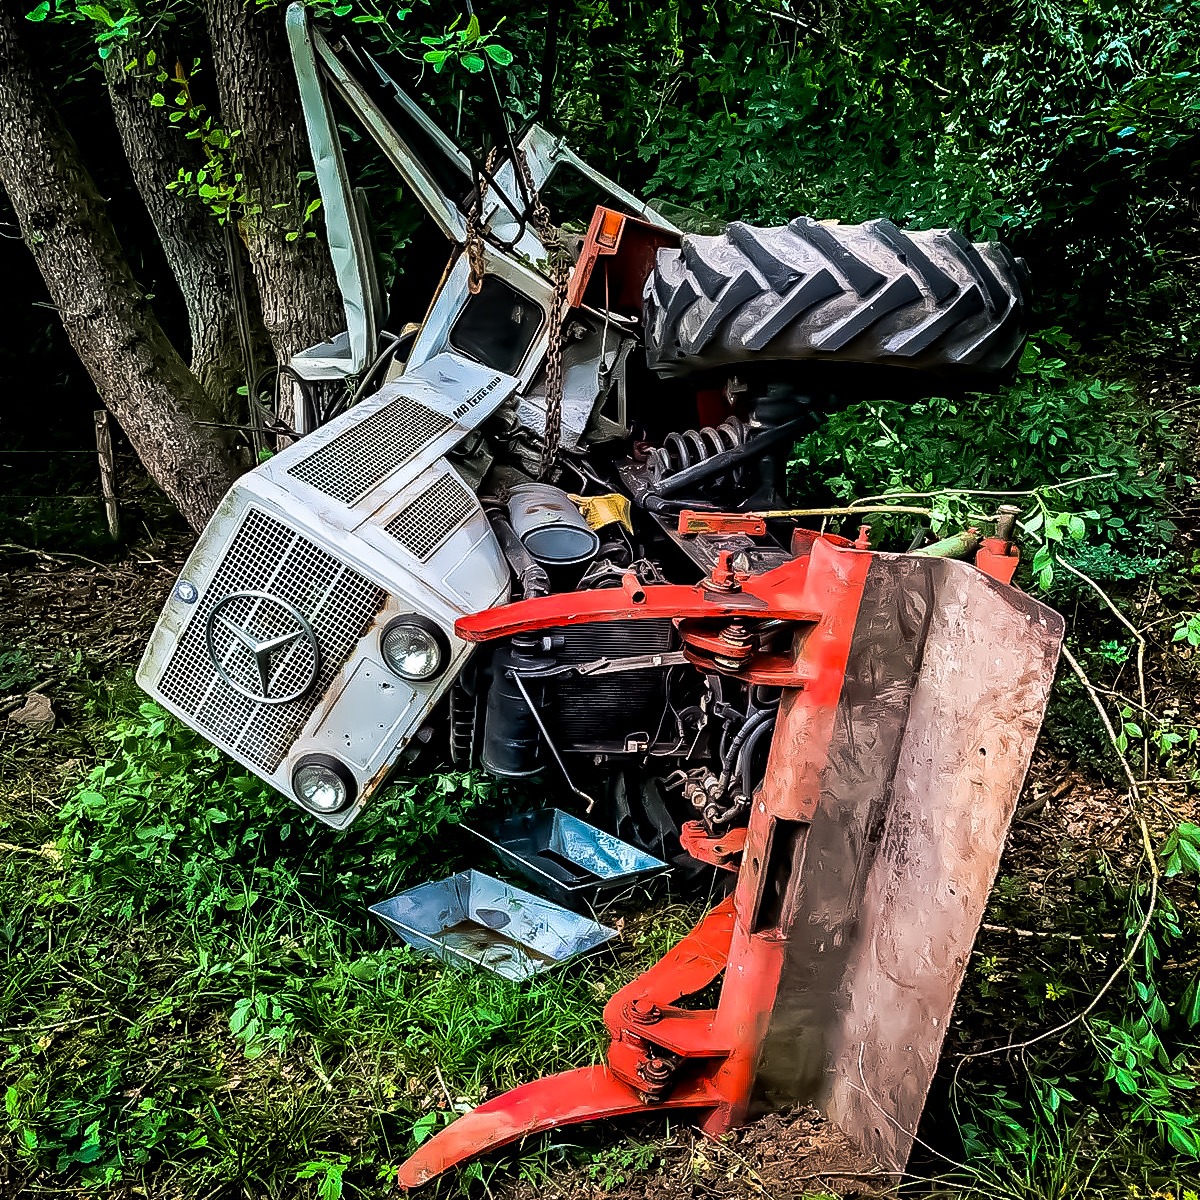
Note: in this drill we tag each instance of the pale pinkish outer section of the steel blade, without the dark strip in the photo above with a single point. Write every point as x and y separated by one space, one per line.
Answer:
974 721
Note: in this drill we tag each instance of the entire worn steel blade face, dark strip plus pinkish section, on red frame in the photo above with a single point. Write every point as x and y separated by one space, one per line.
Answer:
945 692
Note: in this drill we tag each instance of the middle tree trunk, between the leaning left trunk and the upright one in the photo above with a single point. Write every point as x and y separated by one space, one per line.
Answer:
191 237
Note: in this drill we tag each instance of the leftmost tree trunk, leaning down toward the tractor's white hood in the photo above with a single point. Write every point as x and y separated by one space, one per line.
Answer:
139 374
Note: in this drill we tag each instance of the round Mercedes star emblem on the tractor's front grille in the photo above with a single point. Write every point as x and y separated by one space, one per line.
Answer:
236 650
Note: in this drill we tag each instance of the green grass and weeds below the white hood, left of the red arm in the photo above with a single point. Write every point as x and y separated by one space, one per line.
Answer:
194 999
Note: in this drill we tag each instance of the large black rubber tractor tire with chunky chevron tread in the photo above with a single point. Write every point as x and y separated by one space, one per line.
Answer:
869 293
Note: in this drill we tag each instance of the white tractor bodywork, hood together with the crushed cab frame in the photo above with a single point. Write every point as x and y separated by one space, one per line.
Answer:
311 633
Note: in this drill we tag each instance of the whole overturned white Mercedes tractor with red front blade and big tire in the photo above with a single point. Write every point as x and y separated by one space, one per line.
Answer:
548 532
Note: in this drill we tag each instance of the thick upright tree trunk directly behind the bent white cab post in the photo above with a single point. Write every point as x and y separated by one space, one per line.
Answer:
259 98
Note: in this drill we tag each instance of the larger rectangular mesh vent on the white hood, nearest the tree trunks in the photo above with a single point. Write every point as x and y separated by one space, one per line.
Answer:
367 454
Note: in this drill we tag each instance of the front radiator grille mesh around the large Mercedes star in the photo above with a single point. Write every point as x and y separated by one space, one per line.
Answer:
267 556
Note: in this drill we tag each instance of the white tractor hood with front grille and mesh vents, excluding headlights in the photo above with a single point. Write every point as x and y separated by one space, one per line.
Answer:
387 529
